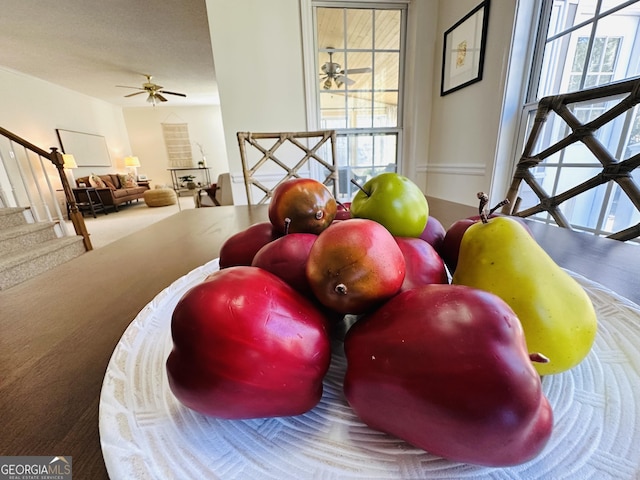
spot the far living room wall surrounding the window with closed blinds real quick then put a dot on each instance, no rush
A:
(147, 143)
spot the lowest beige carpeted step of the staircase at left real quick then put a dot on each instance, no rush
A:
(20, 266)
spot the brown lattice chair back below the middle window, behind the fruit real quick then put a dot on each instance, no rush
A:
(268, 159)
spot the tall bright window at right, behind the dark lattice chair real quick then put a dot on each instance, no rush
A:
(583, 44)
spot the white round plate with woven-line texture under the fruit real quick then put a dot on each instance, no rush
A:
(146, 433)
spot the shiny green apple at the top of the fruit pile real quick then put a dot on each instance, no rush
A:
(393, 201)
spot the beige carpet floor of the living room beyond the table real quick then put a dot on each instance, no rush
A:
(105, 229)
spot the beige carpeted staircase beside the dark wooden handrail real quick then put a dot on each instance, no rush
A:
(28, 248)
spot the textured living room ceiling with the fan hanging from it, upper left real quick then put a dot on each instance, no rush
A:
(92, 46)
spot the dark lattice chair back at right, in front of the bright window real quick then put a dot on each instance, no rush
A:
(570, 132)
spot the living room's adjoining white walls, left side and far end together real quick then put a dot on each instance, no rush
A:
(33, 109)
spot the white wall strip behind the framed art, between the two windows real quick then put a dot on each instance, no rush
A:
(466, 124)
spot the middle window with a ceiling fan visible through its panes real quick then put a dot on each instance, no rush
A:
(359, 71)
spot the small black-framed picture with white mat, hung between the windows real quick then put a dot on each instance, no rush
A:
(463, 50)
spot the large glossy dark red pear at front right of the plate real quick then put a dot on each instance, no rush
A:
(447, 369)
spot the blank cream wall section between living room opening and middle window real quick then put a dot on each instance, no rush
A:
(257, 51)
